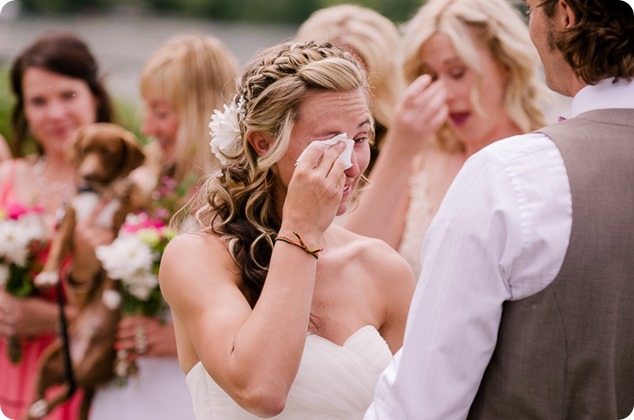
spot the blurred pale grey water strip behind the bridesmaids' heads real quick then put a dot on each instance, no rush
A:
(123, 41)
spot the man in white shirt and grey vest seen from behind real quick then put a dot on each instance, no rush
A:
(525, 305)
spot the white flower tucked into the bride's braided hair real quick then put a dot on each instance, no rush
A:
(226, 138)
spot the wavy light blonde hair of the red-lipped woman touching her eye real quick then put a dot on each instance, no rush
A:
(502, 30)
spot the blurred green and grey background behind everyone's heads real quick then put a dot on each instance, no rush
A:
(123, 33)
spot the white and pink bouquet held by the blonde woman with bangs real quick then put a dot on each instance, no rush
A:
(133, 259)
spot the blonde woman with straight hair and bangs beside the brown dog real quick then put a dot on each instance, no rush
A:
(180, 84)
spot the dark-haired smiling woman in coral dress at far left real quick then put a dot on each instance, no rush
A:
(58, 89)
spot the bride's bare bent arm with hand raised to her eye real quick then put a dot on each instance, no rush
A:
(254, 354)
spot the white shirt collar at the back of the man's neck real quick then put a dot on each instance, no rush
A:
(603, 95)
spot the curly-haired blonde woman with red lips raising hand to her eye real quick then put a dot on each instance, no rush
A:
(474, 78)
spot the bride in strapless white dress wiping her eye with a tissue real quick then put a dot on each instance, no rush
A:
(278, 311)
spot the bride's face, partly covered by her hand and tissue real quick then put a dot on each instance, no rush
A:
(322, 116)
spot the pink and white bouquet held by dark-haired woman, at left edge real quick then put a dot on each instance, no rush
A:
(23, 242)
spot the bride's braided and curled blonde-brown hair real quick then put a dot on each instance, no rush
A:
(237, 203)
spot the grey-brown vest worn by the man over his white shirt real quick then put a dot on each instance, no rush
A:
(568, 351)
